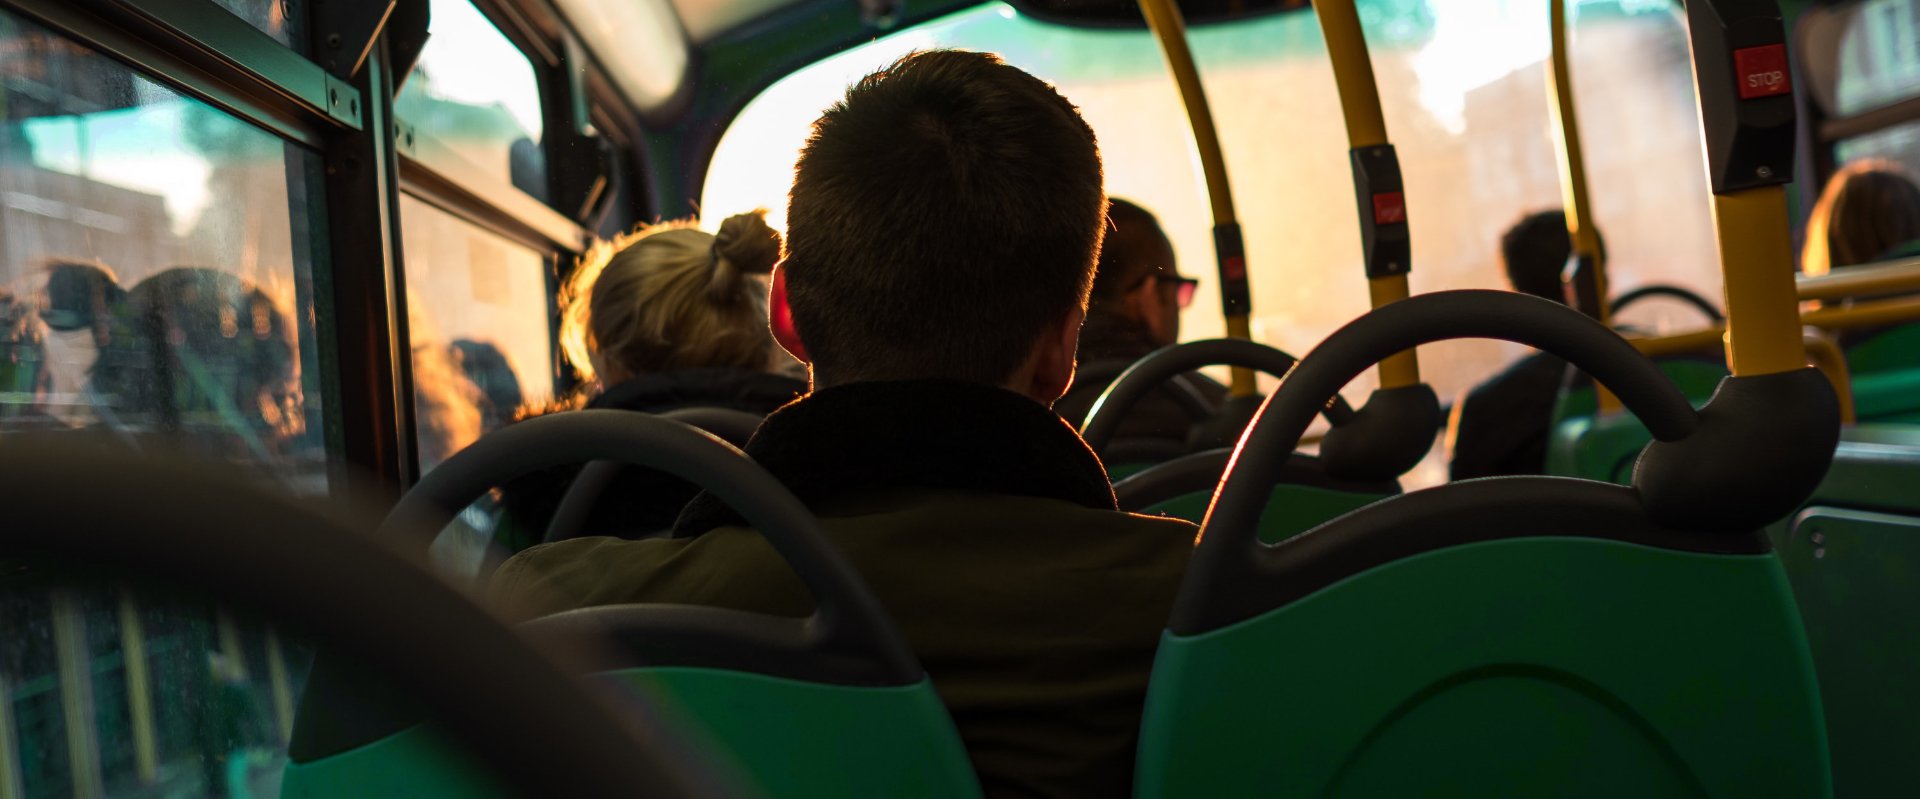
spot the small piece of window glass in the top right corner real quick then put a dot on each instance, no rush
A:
(1879, 55)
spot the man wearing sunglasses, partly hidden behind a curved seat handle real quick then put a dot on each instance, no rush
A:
(1136, 308)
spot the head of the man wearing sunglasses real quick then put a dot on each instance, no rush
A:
(1138, 279)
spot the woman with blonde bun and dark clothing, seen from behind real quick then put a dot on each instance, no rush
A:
(663, 318)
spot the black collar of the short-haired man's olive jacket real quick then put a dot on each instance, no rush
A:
(869, 437)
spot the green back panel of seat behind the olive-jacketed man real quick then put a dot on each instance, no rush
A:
(784, 737)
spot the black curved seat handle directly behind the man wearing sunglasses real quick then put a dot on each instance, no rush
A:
(1166, 364)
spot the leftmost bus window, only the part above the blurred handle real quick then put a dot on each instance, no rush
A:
(158, 264)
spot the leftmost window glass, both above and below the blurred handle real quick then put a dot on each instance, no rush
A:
(156, 266)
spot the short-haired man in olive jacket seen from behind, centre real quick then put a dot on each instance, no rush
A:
(946, 220)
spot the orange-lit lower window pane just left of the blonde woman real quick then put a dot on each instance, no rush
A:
(481, 324)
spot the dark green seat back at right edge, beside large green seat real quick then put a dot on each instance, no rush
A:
(1854, 560)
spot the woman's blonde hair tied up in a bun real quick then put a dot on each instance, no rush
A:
(671, 297)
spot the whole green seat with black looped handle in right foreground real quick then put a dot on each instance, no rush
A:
(1504, 637)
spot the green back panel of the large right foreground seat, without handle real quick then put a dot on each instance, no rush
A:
(1524, 667)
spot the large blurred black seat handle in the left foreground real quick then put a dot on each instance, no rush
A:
(172, 527)
